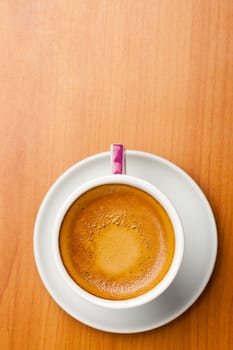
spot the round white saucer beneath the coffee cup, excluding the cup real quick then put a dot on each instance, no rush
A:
(200, 244)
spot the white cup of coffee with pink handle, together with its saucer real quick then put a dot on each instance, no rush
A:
(131, 283)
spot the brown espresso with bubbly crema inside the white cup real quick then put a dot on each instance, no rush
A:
(116, 241)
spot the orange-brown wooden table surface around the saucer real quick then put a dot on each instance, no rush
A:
(76, 76)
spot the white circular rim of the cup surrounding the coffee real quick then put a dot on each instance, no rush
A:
(178, 231)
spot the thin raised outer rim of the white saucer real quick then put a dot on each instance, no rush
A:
(201, 286)
